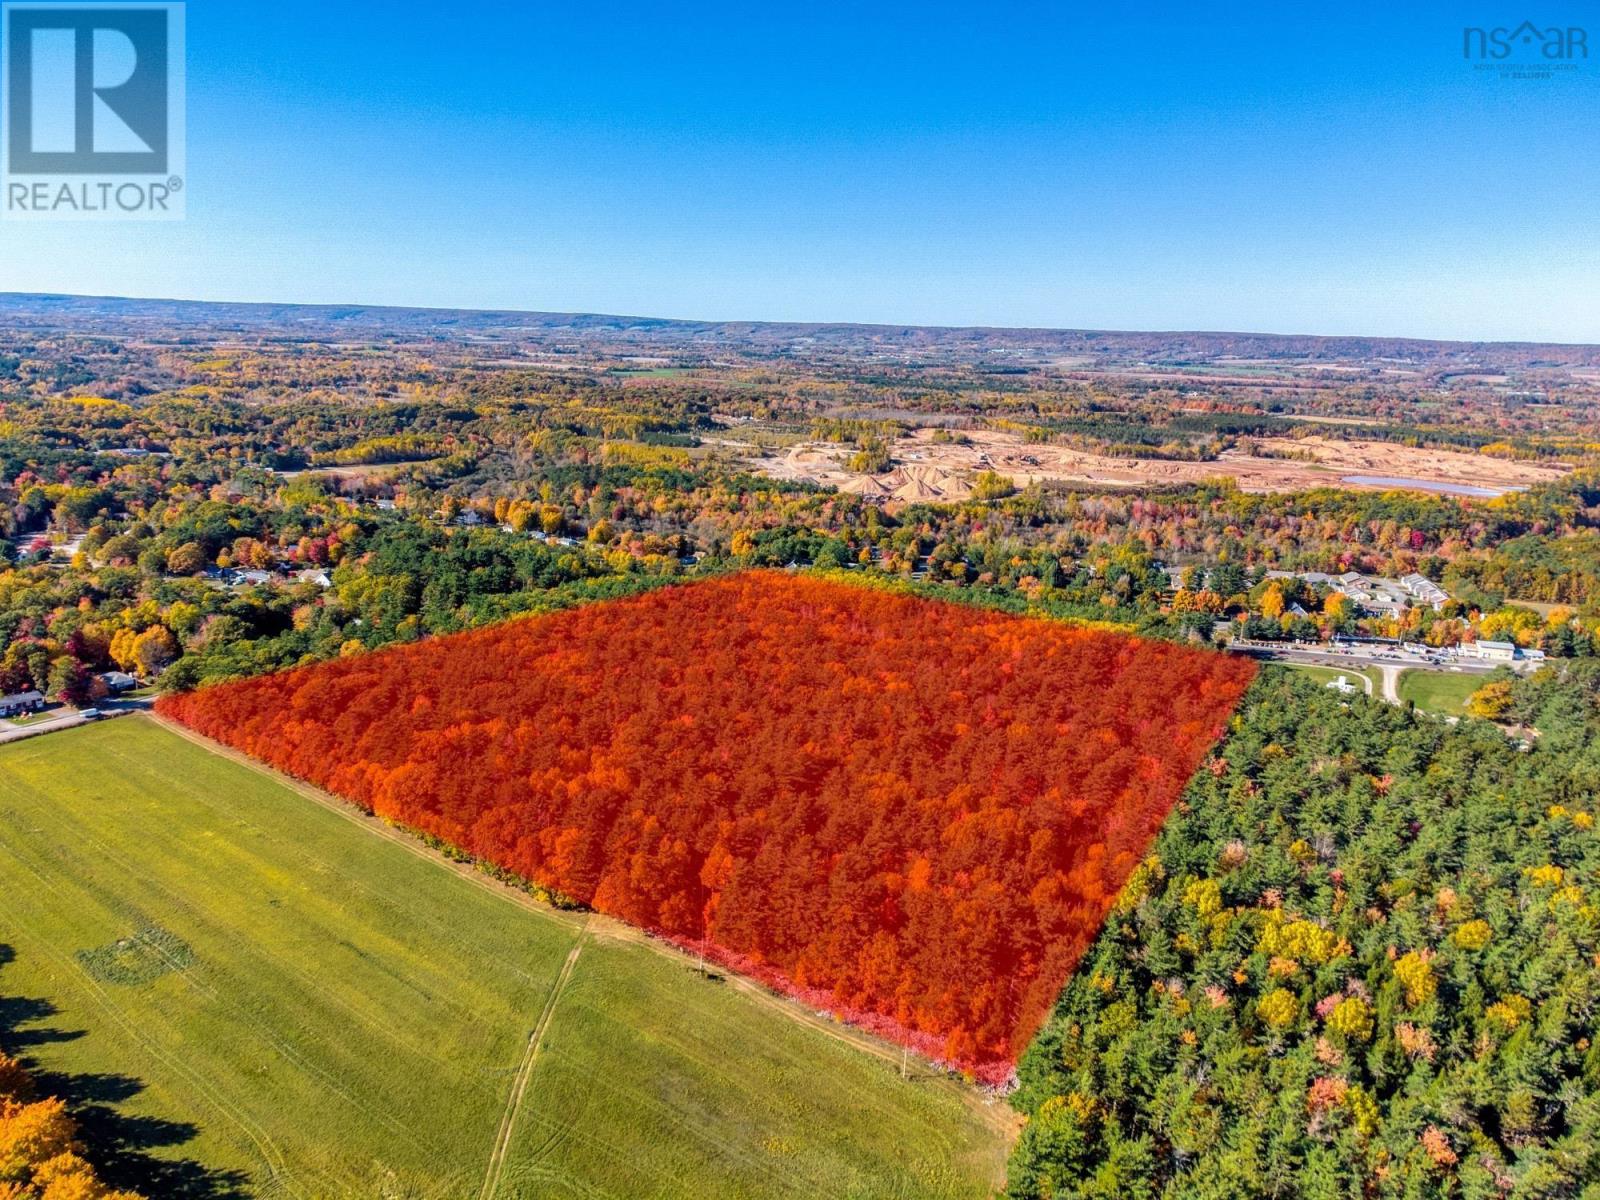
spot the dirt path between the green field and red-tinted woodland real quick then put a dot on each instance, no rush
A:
(990, 1110)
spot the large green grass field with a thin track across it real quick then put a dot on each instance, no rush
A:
(247, 994)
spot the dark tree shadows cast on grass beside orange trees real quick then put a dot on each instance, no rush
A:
(122, 1146)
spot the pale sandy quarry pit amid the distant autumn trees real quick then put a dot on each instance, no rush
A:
(932, 471)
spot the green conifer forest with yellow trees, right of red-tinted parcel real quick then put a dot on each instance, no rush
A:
(1361, 961)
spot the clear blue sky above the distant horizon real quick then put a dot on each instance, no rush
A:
(1324, 169)
